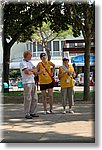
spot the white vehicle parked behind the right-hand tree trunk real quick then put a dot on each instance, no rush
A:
(79, 80)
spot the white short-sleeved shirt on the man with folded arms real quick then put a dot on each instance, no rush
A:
(25, 77)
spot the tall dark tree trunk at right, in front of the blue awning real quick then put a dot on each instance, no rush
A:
(87, 37)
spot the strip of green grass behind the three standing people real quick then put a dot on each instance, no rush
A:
(17, 97)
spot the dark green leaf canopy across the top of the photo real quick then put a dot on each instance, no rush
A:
(20, 18)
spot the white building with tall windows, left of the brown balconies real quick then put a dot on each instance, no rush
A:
(55, 46)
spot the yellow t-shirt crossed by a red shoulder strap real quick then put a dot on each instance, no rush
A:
(45, 78)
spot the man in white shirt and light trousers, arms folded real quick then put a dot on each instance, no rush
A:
(30, 95)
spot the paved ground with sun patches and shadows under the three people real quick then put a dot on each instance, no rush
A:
(58, 127)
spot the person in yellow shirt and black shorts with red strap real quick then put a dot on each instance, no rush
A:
(45, 71)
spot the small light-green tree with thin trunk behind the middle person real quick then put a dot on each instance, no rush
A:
(43, 35)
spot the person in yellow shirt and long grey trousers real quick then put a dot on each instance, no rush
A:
(66, 74)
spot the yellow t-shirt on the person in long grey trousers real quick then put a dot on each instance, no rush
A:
(66, 80)
